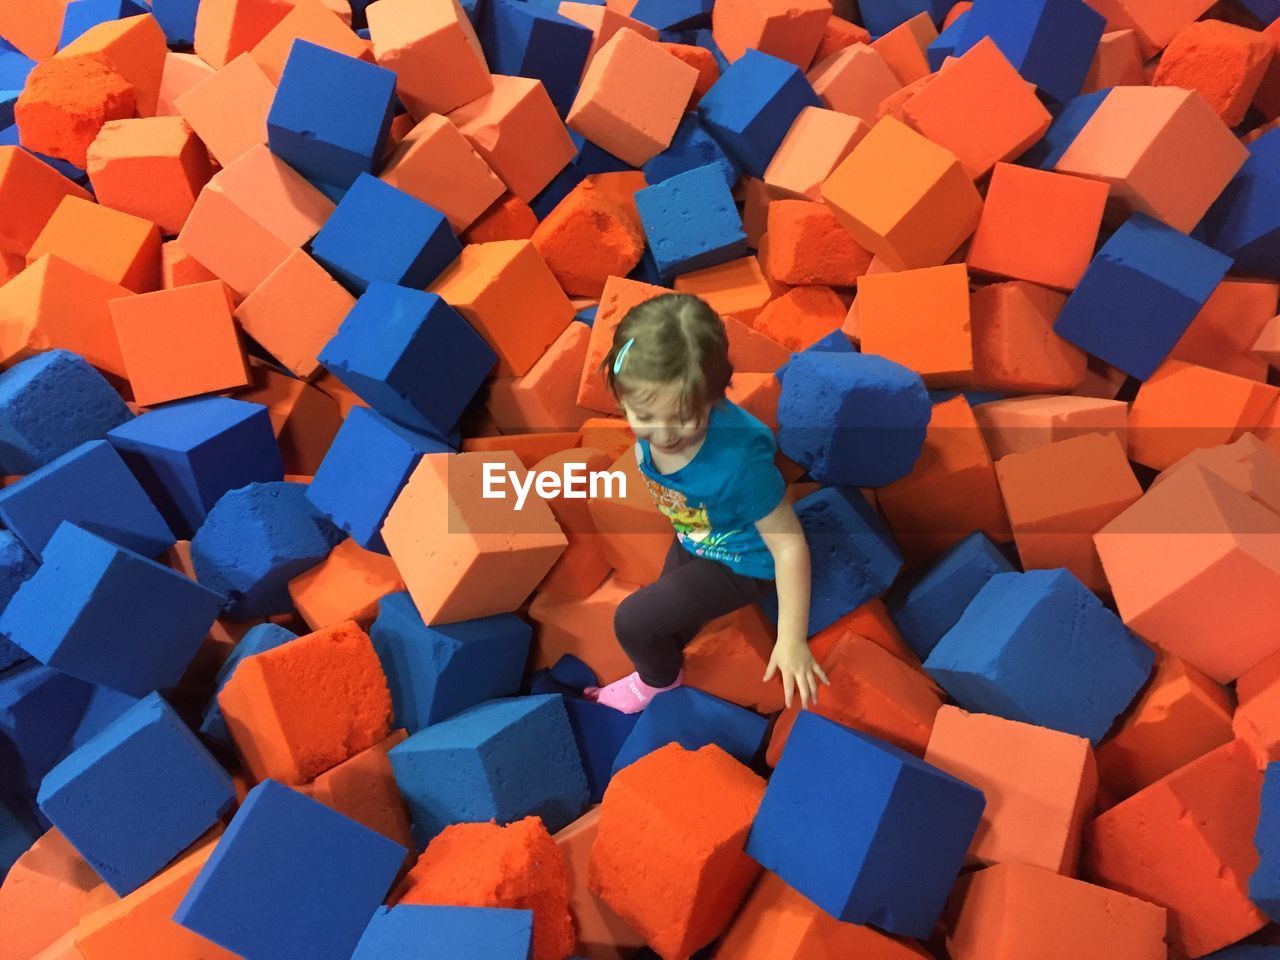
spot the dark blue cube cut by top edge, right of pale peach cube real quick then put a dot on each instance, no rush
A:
(534, 40)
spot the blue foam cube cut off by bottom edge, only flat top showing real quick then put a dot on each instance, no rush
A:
(458, 932)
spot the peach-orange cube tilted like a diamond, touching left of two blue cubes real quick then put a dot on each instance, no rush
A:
(295, 313)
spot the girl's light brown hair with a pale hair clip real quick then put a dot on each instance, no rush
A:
(679, 340)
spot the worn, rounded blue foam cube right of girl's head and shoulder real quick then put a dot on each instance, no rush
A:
(853, 419)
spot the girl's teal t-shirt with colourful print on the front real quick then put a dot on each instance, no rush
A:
(717, 497)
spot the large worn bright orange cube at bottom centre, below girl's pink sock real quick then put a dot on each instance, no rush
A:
(669, 854)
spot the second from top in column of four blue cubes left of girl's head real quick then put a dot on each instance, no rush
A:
(382, 234)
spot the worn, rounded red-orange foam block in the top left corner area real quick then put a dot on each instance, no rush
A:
(66, 102)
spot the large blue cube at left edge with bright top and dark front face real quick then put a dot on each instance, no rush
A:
(108, 615)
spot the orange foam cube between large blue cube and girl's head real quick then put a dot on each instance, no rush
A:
(511, 298)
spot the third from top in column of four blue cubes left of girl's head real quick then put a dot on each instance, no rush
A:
(410, 356)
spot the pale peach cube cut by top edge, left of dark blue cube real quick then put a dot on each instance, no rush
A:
(433, 51)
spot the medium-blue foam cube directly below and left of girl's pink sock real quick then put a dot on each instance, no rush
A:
(508, 760)
